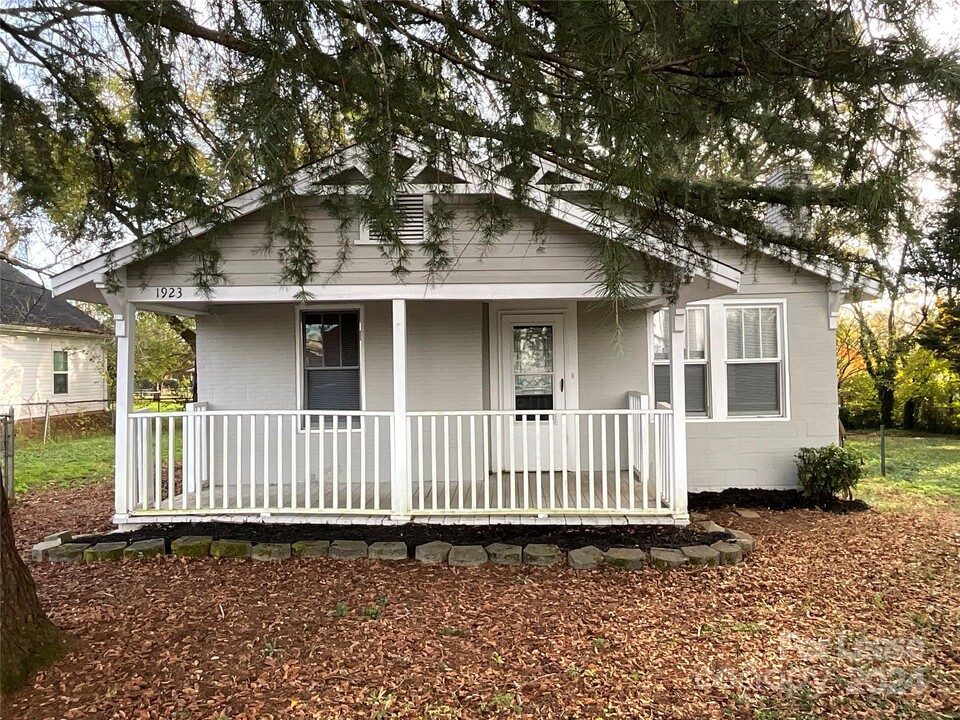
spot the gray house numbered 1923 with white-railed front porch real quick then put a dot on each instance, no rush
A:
(496, 394)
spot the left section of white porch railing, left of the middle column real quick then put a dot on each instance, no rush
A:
(259, 462)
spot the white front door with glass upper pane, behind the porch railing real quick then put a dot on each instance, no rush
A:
(533, 382)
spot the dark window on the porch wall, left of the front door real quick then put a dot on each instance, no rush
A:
(331, 360)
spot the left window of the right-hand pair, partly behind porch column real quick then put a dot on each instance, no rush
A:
(695, 369)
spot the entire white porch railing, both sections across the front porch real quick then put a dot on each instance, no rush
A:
(490, 462)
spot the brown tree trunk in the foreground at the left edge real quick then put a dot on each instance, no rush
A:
(28, 640)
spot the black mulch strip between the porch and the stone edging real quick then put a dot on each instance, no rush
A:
(566, 537)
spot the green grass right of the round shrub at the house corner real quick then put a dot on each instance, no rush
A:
(921, 469)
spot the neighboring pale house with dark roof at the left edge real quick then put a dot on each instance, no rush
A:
(50, 351)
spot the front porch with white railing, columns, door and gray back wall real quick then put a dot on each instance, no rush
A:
(503, 423)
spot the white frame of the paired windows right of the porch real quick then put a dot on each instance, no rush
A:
(716, 352)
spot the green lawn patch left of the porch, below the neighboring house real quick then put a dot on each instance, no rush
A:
(70, 462)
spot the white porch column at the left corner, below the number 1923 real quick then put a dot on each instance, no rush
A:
(125, 324)
